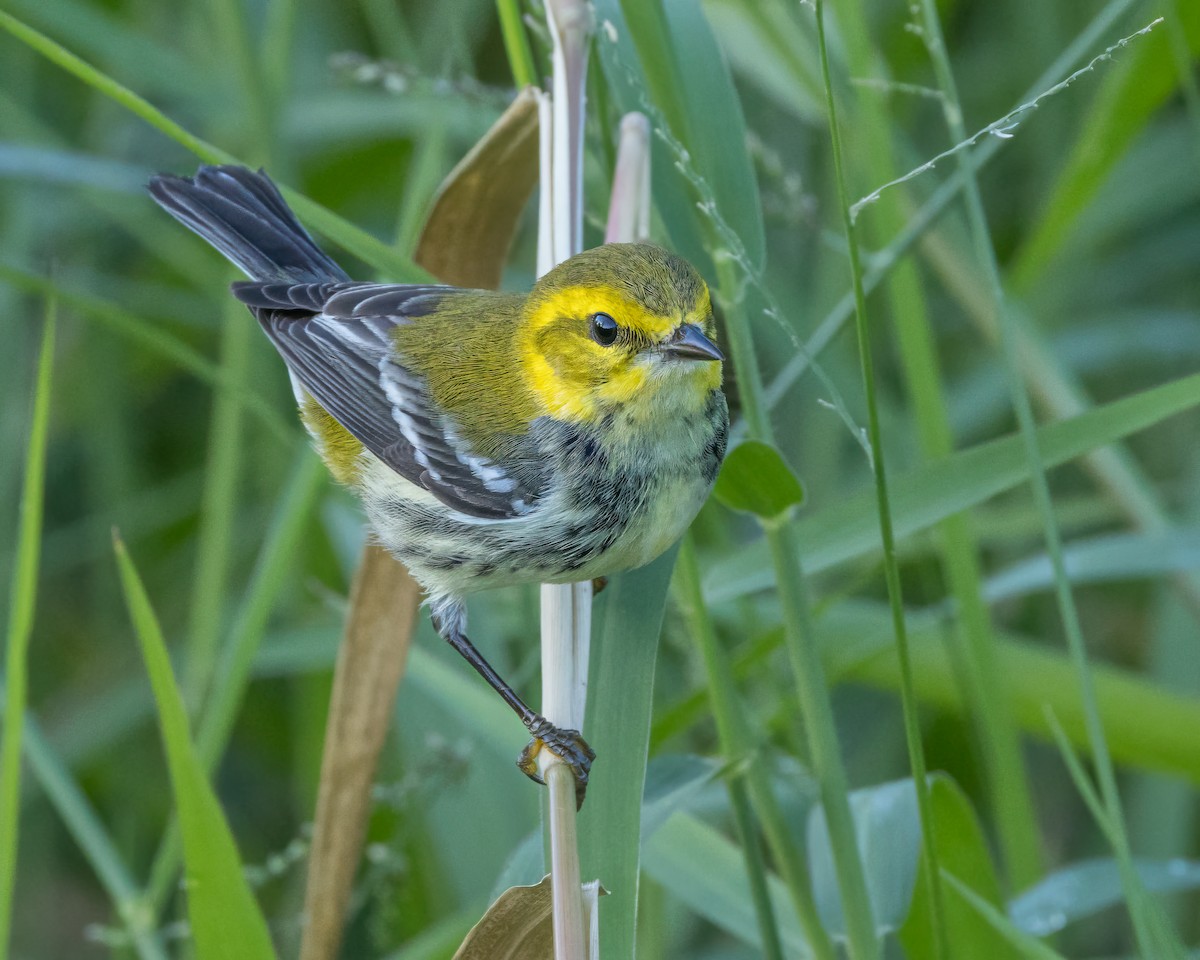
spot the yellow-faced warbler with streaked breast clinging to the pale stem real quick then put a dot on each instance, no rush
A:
(494, 439)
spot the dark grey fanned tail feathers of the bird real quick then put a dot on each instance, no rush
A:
(244, 217)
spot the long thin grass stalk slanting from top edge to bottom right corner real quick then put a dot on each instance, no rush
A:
(1144, 932)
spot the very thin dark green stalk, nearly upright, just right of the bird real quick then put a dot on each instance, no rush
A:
(891, 568)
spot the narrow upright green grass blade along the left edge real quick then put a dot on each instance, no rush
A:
(22, 607)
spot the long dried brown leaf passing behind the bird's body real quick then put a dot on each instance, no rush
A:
(465, 243)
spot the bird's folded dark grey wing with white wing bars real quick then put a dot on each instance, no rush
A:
(338, 340)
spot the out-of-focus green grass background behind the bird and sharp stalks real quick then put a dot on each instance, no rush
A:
(172, 421)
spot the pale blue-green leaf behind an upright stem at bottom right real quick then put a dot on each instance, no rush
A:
(889, 833)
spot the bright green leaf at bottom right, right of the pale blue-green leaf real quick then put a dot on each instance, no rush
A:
(963, 851)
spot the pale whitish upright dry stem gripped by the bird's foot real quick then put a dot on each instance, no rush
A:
(566, 609)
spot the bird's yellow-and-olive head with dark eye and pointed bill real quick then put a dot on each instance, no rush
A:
(623, 326)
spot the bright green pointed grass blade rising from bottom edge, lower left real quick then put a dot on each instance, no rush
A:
(225, 919)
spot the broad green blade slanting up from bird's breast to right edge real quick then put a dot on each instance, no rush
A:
(921, 499)
